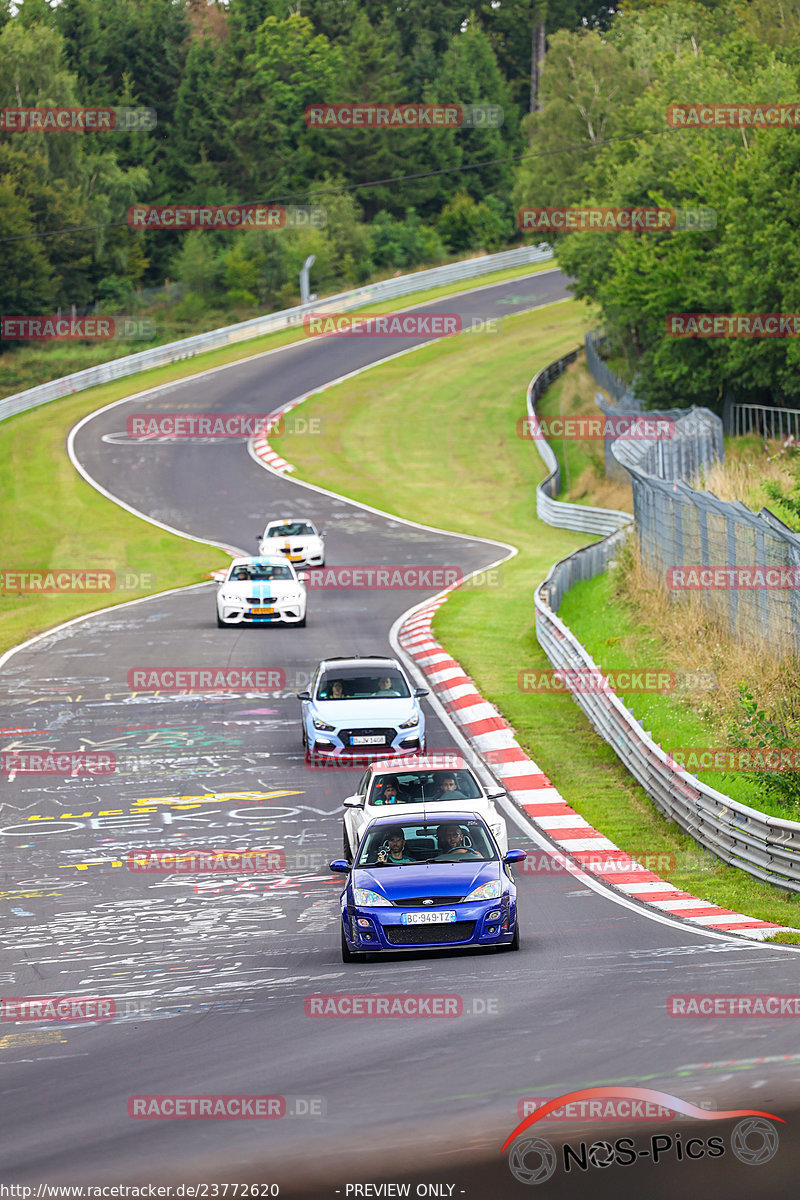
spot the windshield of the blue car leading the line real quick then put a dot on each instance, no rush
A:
(411, 843)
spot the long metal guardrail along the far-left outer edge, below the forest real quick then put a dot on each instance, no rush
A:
(172, 352)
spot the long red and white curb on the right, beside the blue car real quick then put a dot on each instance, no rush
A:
(533, 793)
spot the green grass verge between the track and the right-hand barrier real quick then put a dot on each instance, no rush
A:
(454, 460)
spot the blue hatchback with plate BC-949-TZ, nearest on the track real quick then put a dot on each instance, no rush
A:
(424, 885)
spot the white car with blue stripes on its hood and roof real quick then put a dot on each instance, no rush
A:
(262, 591)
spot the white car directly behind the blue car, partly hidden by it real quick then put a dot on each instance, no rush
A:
(428, 788)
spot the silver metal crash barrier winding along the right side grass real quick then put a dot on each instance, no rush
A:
(767, 848)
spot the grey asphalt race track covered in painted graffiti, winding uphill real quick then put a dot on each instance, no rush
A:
(213, 976)
